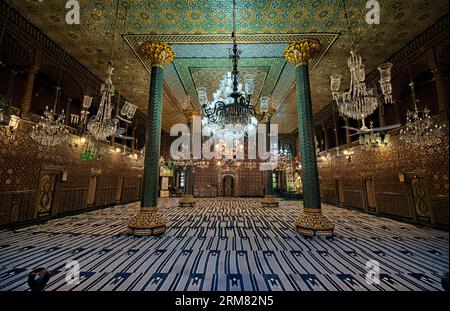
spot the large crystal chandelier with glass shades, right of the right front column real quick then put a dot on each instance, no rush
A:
(360, 101)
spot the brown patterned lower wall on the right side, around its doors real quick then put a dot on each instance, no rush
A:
(384, 165)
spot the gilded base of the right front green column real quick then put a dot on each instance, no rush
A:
(313, 223)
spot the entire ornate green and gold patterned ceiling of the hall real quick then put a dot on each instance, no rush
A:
(203, 62)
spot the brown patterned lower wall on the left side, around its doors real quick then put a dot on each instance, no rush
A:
(21, 163)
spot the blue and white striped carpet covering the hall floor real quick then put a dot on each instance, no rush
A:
(228, 244)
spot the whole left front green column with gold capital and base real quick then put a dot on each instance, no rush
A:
(149, 221)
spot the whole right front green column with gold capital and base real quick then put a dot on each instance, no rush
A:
(311, 220)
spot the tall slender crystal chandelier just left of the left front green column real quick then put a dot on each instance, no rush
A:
(103, 125)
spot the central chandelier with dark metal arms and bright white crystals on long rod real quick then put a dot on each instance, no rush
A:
(232, 105)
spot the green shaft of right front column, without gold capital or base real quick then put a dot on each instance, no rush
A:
(310, 176)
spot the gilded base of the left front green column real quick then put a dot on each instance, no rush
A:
(148, 222)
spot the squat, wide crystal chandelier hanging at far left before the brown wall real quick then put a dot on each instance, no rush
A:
(50, 130)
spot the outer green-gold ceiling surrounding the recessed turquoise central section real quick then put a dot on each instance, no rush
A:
(401, 21)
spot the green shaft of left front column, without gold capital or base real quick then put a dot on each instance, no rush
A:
(153, 139)
